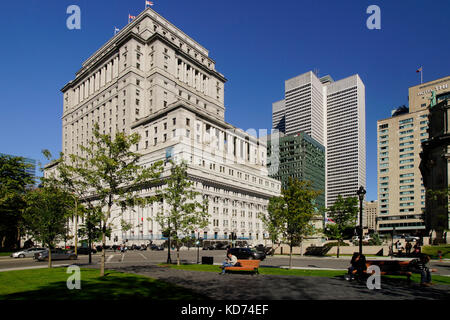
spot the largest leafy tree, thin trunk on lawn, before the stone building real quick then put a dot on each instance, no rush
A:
(108, 176)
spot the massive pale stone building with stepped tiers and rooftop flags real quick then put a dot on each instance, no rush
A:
(153, 79)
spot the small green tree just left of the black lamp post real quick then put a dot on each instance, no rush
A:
(344, 212)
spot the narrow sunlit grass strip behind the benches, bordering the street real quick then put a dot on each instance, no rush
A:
(301, 272)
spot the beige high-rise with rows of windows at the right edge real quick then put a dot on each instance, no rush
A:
(401, 193)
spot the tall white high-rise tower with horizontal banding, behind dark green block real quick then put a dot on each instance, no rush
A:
(332, 113)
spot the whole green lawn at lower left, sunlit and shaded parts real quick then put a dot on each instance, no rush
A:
(50, 284)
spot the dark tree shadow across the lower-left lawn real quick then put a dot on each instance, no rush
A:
(109, 288)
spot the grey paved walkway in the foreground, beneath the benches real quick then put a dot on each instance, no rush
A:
(272, 287)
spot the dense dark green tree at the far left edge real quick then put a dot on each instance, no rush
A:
(14, 184)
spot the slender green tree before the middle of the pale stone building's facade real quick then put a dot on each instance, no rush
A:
(185, 213)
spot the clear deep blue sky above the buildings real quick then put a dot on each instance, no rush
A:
(256, 45)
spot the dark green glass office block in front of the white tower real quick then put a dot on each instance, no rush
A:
(298, 156)
